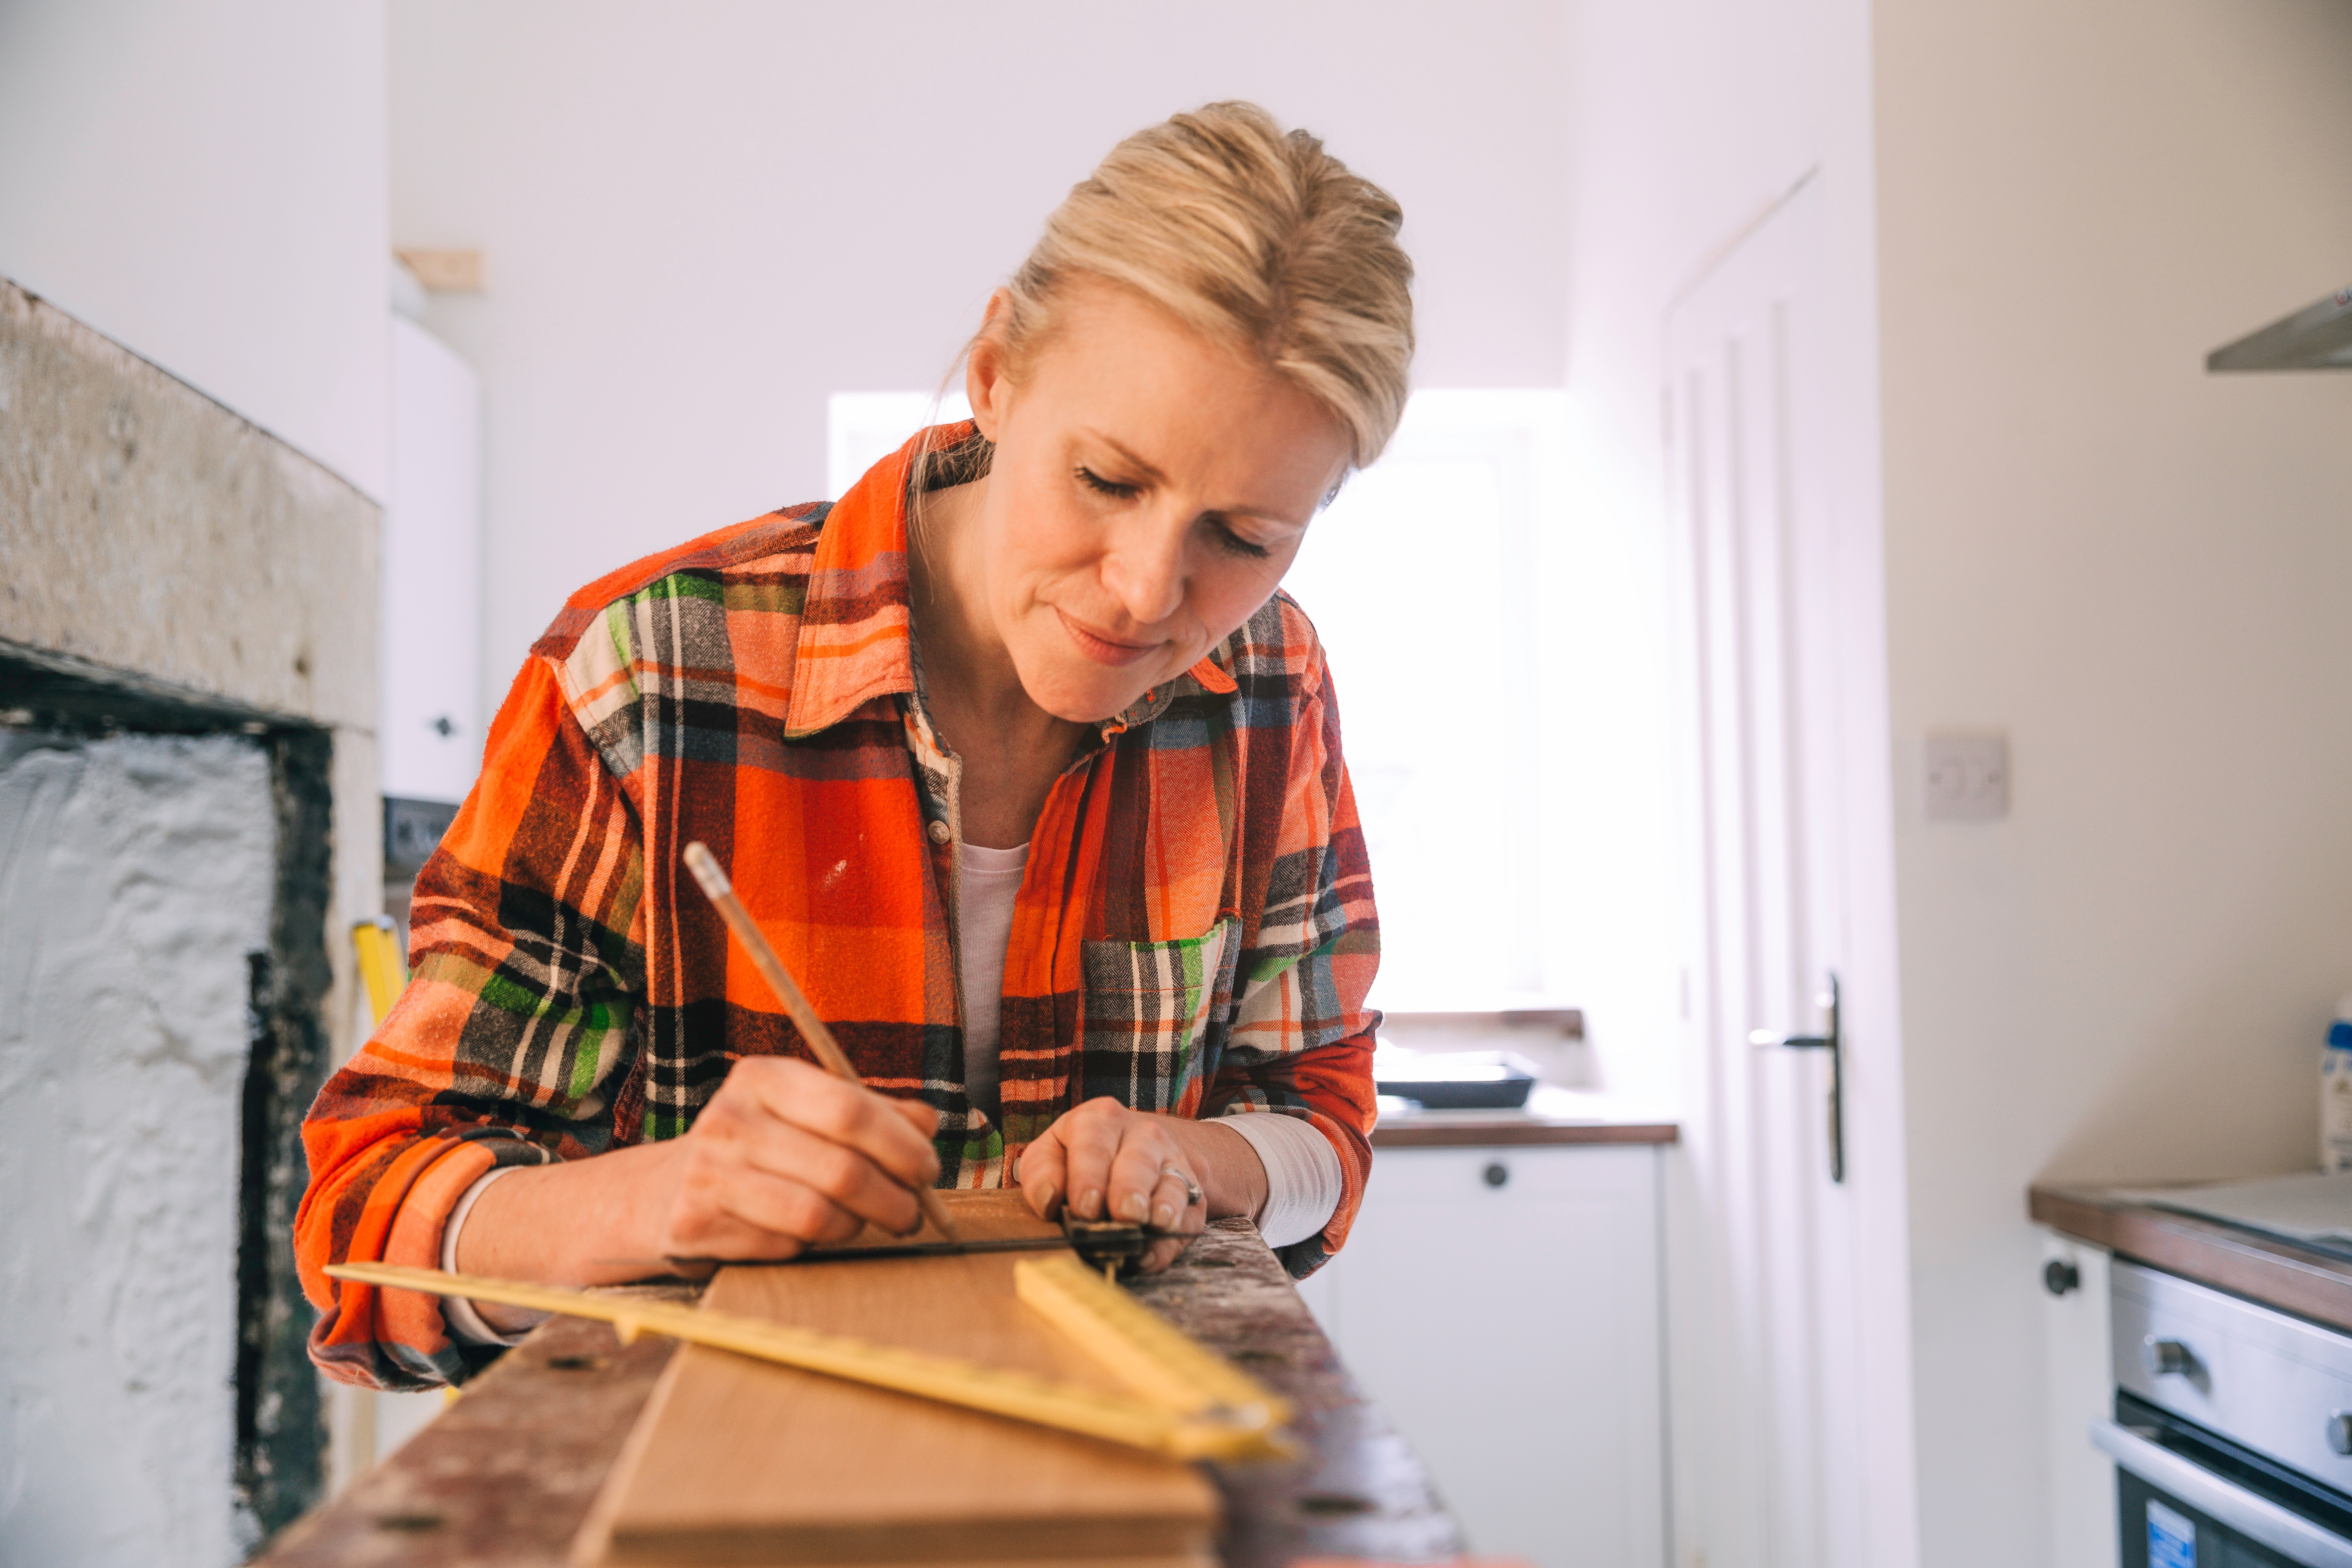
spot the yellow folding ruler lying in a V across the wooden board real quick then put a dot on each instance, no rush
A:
(1184, 1400)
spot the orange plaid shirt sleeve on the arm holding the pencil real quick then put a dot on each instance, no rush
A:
(512, 1045)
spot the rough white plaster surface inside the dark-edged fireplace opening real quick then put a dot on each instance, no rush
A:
(135, 880)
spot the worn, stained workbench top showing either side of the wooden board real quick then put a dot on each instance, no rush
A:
(507, 1475)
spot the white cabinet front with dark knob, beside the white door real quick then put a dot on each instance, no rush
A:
(1504, 1306)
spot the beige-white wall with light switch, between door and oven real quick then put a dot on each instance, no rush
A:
(2139, 572)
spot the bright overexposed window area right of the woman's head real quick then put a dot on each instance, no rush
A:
(1443, 739)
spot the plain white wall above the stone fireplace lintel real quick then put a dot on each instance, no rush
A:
(206, 187)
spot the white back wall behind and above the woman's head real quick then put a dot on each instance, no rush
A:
(704, 220)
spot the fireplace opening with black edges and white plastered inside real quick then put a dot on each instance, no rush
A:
(166, 880)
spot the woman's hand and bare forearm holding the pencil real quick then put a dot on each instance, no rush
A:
(782, 1158)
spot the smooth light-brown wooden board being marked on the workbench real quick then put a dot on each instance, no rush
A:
(751, 1463)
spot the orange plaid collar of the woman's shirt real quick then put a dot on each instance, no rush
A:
(855, 622)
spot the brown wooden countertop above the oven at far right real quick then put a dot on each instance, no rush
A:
(2224, 1257)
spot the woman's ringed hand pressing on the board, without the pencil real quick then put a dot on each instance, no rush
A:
(1111, 1162)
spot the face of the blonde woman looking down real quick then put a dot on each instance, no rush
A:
(1147, 497)
